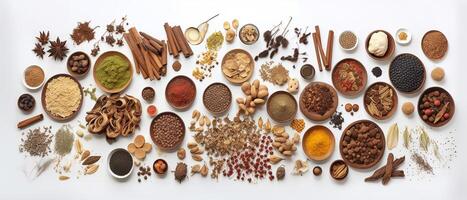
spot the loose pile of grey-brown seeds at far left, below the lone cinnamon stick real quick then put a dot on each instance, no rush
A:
(37, 142)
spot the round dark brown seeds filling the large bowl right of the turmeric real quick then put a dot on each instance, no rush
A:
(363, 143)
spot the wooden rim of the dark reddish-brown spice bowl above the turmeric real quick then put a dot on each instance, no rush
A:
(315, 116)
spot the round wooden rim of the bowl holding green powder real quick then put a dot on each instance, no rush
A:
(99, 61)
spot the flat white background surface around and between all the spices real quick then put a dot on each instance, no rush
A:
(21, 21)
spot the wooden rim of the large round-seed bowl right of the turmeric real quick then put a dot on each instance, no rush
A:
(359, 166)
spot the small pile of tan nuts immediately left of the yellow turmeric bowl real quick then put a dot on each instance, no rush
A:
(283, 143)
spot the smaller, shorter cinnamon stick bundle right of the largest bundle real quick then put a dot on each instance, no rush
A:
(177, 42)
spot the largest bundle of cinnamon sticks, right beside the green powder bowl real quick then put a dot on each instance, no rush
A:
(149, 54)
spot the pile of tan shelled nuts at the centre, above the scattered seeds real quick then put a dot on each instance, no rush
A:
(256, 94)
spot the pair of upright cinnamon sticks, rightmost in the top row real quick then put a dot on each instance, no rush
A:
(324, 59)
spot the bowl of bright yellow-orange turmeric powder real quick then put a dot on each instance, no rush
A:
(318, 143)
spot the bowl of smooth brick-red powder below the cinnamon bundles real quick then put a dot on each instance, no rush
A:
(180, 92)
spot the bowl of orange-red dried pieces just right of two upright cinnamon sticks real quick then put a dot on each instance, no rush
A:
(349, 77)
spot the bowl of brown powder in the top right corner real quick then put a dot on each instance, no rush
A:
(434, 45)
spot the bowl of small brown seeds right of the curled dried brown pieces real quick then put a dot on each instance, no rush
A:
(167, 131)
